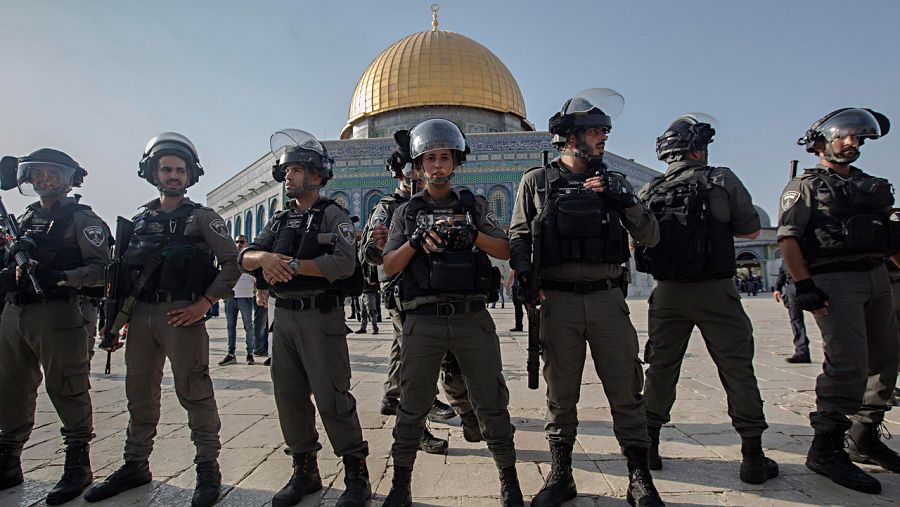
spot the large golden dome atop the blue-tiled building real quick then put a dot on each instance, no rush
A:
(435, 68)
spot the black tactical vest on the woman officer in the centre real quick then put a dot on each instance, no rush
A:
(447, 272)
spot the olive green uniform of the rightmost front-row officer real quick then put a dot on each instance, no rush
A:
(859, 333)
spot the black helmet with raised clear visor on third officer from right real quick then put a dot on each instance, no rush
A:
(594, 107)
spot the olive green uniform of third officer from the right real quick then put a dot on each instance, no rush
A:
(570, 321)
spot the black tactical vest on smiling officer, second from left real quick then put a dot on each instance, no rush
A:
(183, 267)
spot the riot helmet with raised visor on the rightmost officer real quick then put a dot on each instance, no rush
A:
(860, 123)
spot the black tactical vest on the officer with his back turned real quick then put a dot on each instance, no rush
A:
(692, 245)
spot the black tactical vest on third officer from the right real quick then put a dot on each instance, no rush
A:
(577, 225)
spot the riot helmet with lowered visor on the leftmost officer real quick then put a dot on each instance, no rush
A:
(48, 173)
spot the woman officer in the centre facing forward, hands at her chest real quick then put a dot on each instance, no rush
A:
(440, 240)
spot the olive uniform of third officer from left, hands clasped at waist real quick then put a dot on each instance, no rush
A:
(309, 350)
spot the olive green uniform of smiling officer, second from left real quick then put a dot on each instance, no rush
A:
(151, 339)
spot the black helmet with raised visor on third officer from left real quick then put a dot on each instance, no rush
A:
(295, 146)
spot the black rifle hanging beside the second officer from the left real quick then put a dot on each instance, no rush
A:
(115, 313)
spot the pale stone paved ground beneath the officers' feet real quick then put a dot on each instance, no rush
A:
(702, 450)
